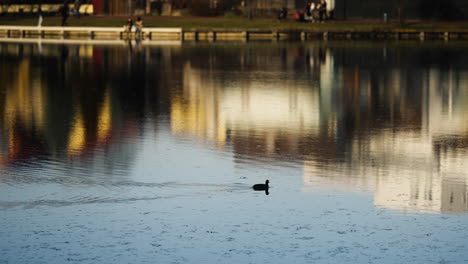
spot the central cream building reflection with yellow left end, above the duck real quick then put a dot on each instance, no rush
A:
(256, 115)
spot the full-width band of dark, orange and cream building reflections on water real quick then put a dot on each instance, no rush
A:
(392, 119)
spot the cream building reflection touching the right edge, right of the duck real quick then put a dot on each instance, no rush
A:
(412, 167)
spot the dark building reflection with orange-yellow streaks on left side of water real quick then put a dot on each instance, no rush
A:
(89, 101)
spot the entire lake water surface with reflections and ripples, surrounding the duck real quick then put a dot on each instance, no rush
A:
(137, 153)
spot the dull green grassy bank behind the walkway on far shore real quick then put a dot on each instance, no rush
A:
(239, 23)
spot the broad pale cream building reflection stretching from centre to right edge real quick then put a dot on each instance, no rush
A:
(413, 158)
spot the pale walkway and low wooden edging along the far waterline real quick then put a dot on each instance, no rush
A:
(157, 33)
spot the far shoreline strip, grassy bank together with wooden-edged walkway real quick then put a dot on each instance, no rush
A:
(213, 29)
